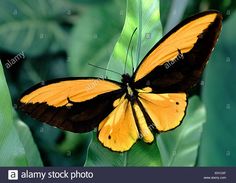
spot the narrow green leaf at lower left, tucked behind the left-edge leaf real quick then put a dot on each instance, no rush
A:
(31, 151)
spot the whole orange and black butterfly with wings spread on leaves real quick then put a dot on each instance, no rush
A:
(154, 98)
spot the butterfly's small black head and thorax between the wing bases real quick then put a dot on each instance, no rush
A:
(127, 82)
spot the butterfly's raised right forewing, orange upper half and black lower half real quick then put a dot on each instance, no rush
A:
(176, 62)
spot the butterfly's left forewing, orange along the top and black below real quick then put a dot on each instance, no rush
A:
(73, 104)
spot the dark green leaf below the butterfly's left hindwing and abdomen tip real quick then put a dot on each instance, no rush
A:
(141, 154)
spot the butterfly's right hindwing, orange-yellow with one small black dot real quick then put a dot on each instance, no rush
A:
(165, 110)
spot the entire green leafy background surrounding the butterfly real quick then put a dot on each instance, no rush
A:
(60, 38)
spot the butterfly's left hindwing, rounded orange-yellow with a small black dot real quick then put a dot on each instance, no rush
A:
(118, 131)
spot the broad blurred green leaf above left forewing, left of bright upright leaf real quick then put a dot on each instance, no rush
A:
(93, 38)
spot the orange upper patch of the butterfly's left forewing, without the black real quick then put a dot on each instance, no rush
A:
(57, 94)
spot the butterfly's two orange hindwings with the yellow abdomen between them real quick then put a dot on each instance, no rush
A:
(130, 121)
